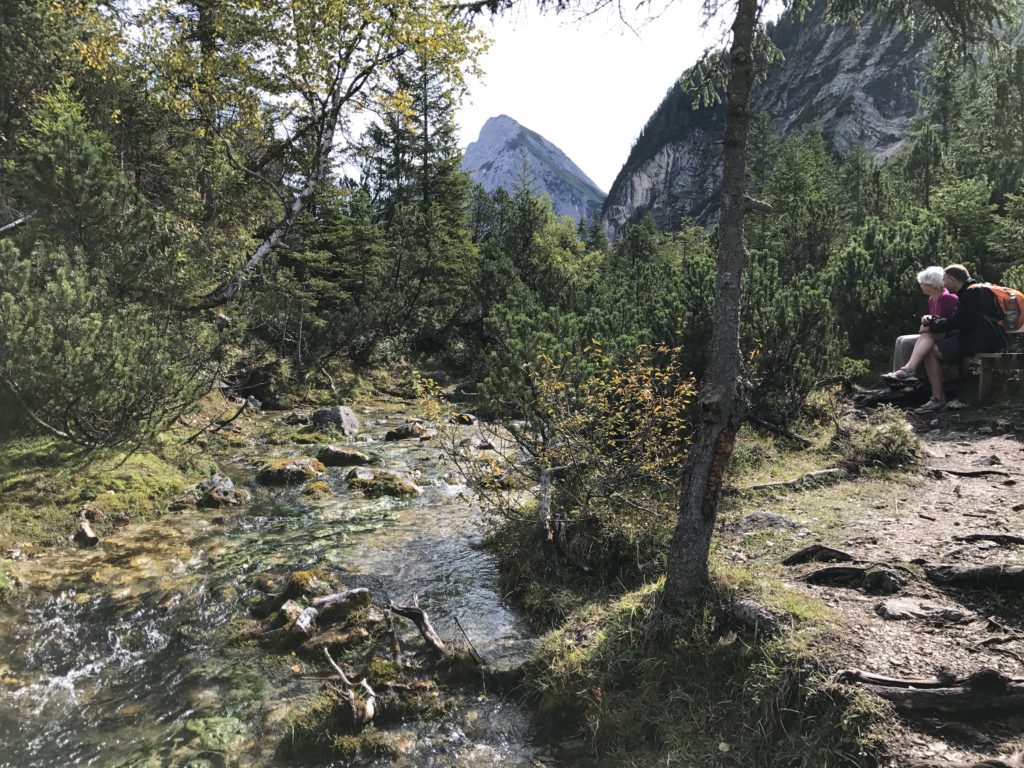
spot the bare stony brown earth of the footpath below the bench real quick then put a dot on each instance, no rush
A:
(905, 524)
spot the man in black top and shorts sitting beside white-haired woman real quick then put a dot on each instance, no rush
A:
(971, 329)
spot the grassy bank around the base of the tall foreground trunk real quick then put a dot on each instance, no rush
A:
(632, 689)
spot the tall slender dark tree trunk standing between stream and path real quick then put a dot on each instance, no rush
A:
(721, 409)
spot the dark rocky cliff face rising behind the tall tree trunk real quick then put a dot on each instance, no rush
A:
(859, 89)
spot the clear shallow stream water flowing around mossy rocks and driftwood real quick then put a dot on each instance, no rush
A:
(133, 654)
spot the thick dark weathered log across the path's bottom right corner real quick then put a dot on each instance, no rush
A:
(984, 692)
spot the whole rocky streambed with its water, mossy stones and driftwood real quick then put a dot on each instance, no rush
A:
(168, 643)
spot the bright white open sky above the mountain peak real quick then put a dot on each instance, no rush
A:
(589, 87)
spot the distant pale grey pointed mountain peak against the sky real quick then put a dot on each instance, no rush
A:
(506, 152)
